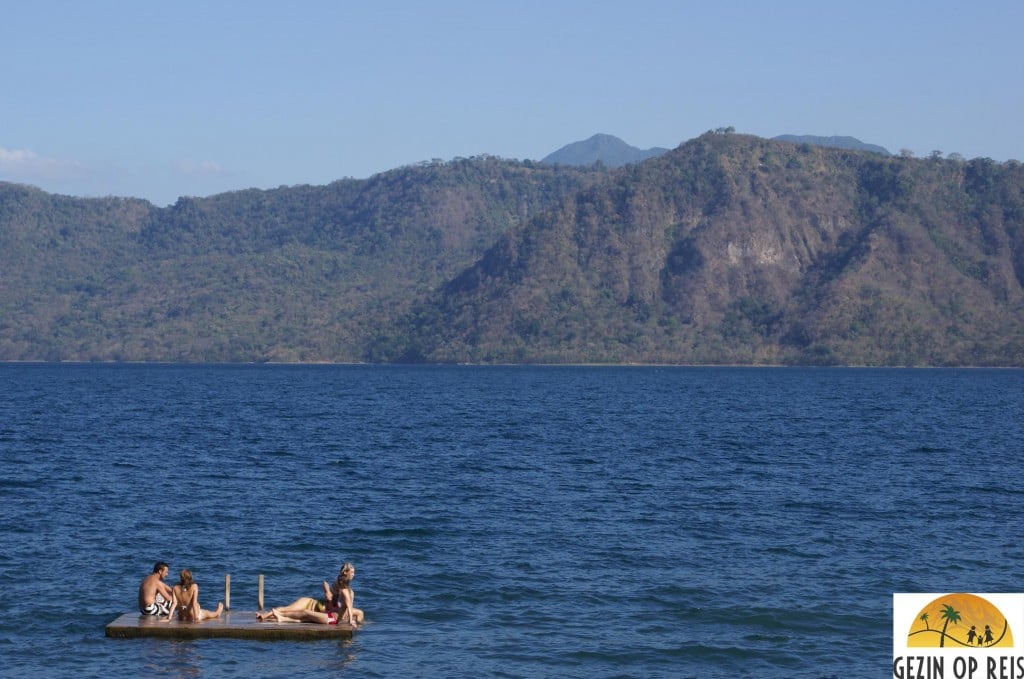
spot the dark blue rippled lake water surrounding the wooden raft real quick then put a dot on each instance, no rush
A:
(505, 522)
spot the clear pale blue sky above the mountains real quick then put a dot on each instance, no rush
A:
(162, 100)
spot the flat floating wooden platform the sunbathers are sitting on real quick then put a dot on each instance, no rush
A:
(233, 624)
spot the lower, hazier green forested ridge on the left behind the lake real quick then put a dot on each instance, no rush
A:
(303, 274)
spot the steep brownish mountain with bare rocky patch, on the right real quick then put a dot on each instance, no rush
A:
(735, 249)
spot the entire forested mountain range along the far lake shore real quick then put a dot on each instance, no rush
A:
(730, 249)
